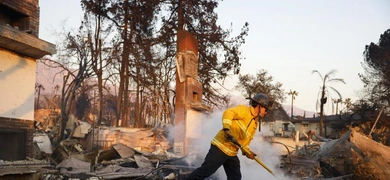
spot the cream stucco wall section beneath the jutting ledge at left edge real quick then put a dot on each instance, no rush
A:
(17, 86)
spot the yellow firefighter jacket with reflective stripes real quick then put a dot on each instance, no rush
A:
(242, 124)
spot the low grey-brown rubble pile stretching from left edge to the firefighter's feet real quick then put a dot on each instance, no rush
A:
(116, 162)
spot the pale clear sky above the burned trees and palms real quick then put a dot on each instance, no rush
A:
(288, 38)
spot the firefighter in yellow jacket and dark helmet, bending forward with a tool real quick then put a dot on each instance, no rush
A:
(239, 123)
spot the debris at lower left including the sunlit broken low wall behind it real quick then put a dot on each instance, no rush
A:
(148, 159)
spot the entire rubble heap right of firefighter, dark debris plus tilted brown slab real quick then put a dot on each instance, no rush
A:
(352, 156)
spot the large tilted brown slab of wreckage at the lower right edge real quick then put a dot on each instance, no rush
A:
(356, 154)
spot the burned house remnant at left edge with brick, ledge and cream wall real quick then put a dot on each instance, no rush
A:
(20, 47)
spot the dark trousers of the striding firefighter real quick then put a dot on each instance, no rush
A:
(213, 160)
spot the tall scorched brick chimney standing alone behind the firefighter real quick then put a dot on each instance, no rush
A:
(188, 105)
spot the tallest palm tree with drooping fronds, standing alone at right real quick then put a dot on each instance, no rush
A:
(325, 89)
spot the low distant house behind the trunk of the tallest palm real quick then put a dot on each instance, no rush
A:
(330, 123)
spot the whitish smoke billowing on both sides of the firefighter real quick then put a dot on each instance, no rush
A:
(268, 153)
